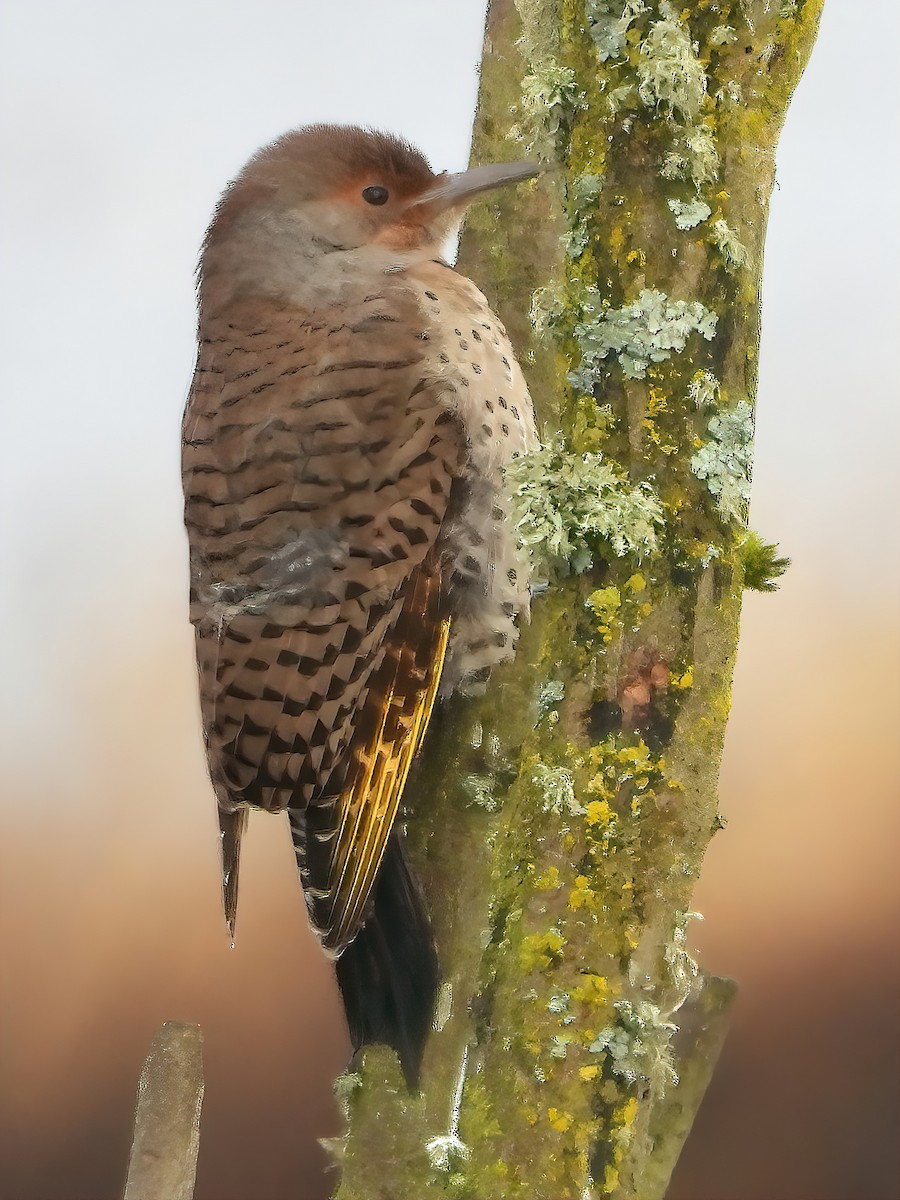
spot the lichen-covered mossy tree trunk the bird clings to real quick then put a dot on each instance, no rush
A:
(560, 823)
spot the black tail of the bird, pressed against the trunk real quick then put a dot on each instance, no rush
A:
(389, 975)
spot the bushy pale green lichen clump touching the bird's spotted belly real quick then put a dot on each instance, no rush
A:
(571, 508)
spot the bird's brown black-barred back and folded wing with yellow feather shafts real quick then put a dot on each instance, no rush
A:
(319, 464)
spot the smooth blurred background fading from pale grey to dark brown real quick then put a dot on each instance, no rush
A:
(119, 124)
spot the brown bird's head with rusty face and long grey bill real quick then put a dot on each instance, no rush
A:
(343, 188)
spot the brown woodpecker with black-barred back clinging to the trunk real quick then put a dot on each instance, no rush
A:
(352, 555)
